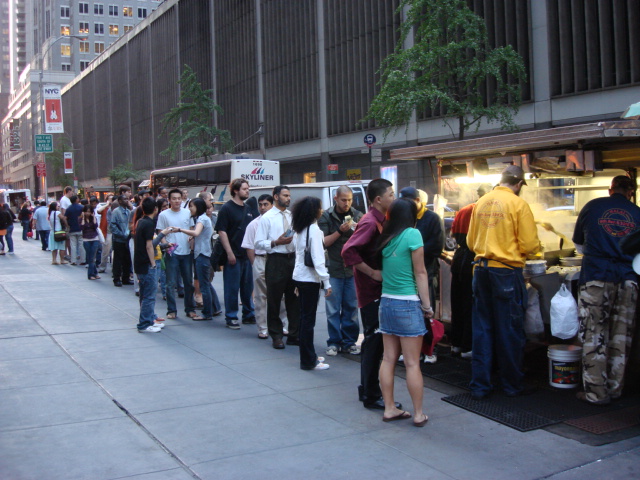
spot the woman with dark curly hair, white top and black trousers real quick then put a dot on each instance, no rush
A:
(308, 276)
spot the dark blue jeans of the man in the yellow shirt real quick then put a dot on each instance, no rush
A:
(499, 305)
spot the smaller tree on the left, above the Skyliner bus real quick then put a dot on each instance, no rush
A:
(190, 123)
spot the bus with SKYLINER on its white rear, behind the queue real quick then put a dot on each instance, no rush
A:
(214, 177)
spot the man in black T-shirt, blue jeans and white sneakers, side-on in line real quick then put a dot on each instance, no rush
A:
(144, 266)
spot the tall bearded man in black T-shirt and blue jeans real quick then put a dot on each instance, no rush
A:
(233, 219)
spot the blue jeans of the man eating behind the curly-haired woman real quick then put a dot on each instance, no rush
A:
(342, 313)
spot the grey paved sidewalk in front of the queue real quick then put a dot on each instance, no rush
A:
(84, 396)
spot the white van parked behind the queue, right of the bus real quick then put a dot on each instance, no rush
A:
(325, 191)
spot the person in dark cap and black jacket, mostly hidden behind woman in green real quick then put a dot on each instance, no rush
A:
(430, 227)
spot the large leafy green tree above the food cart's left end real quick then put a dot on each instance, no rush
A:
(447, 68)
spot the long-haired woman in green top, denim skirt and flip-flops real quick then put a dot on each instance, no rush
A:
(403, 307)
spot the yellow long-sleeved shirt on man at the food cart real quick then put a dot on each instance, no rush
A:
(502, 228)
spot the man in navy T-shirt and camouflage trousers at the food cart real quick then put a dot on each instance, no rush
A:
(608, 290)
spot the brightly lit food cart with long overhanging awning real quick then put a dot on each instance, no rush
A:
(565, 168)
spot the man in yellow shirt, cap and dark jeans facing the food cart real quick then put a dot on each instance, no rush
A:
(503, 234)
